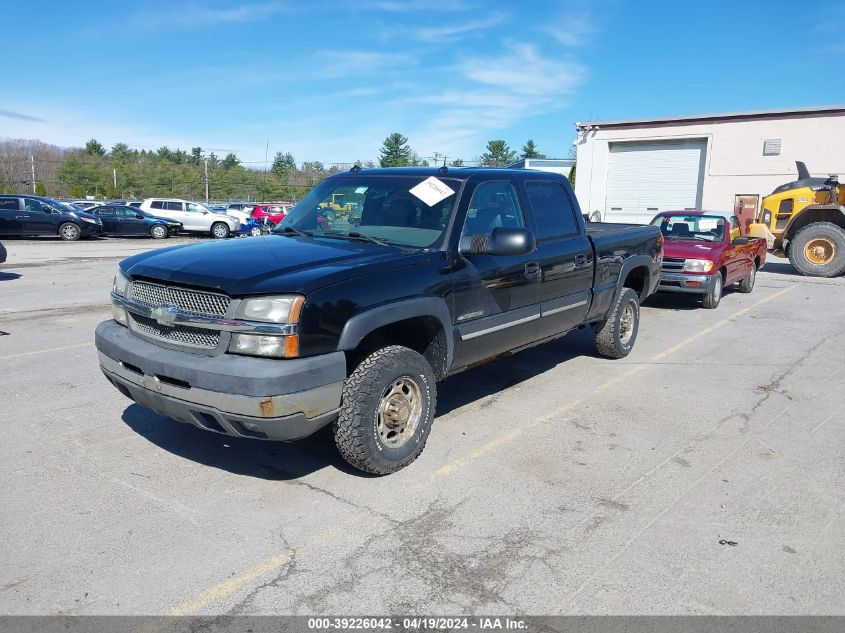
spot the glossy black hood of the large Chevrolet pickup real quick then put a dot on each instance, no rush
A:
(261, 265)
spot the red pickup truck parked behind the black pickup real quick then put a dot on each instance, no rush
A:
(704, 251)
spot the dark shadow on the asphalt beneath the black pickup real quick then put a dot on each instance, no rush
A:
(285, 461)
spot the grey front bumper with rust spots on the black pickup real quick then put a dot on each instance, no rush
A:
(236, 395)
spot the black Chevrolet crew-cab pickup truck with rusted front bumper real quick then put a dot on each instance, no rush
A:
(377, 285)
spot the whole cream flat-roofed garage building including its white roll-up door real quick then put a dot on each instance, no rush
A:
(630, 170)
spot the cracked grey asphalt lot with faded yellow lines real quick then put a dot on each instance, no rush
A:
(703, 474)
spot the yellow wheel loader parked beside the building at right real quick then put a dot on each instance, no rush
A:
(807, 220)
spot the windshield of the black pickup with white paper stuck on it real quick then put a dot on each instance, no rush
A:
(400, 210)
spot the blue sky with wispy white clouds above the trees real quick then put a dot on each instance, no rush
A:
(328, 80)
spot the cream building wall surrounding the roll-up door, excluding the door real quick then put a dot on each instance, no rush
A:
(735, 163)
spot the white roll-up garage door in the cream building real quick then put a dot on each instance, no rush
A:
(644, 178)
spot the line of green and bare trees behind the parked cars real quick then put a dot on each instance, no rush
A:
(28, 166)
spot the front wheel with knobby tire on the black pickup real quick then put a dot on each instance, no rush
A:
(386, 411)
